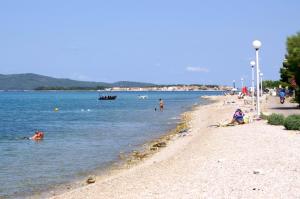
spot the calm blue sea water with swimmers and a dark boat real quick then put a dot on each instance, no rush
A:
(84, 135)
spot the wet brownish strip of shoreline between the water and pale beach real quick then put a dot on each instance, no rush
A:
(139, 158)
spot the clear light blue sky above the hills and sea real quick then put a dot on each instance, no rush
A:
(157, 41)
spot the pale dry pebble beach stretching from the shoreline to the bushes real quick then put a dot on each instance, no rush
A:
(254, 160)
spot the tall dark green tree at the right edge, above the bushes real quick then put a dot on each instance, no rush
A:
(290, 71)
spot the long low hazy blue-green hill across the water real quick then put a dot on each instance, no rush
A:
(30, 81)
